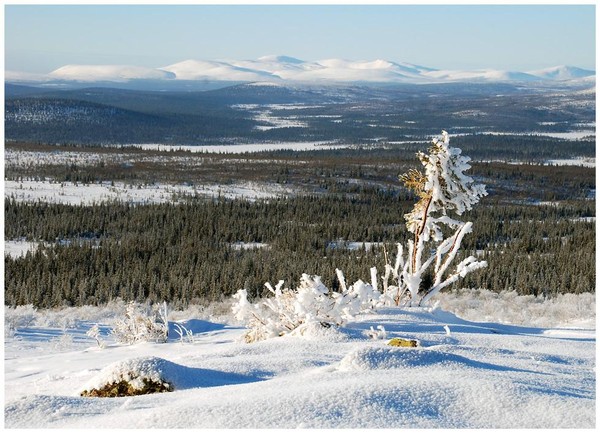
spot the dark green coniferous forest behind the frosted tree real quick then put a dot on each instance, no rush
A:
(535, 229)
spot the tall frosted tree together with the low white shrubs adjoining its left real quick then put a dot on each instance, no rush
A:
(442, 188)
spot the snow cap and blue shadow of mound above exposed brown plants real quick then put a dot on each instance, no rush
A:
(160, 370)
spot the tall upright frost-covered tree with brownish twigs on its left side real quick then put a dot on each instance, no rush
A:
(442, 188)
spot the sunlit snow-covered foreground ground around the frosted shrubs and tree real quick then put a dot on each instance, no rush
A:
(465, 374)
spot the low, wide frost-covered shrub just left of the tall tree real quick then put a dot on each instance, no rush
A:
(310, 304)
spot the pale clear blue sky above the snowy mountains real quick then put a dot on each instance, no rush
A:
(509, 37)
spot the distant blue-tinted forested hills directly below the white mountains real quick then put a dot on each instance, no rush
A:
(350, 114)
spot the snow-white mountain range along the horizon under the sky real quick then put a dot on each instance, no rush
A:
(285, 69)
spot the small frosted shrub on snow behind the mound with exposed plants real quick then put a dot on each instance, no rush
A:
(142, 323)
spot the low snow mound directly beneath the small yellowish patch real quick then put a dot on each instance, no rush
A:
(384, 358)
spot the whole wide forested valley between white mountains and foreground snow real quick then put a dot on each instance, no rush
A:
(182, 182)
